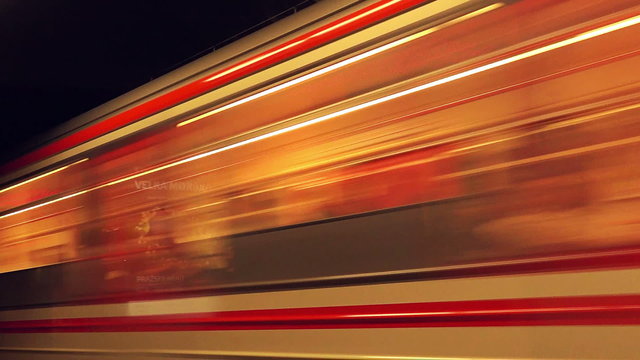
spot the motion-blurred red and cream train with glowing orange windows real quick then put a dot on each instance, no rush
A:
(382, 179)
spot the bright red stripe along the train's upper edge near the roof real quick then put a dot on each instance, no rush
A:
(357, 20)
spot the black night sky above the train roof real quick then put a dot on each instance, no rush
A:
(60, 58)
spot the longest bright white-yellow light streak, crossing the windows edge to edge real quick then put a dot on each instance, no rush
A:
(527, 54)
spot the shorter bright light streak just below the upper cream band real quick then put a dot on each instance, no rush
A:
(339, 64)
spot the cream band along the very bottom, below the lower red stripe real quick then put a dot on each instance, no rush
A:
(496, 342)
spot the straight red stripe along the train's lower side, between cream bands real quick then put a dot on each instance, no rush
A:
(591, 310)
